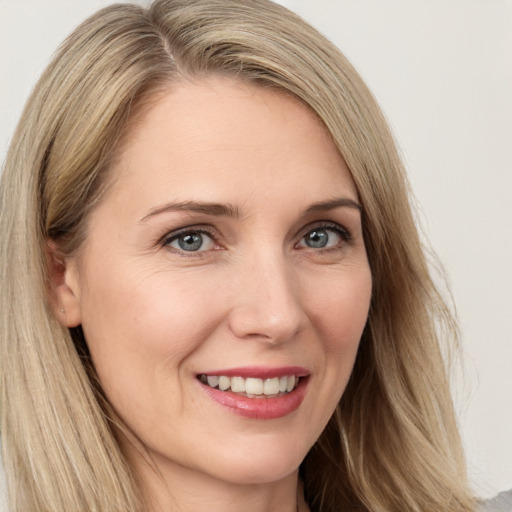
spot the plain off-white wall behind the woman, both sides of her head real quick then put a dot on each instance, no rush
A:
(442, 71)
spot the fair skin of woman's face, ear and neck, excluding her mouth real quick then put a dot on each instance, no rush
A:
(255, 294)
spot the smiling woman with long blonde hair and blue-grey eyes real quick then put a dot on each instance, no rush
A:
(214, 293)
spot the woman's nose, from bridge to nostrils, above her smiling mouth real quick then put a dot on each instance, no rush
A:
(267, 303)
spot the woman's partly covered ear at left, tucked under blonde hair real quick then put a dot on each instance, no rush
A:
(64, 286)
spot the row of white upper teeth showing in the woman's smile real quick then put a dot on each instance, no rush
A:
(252, 387)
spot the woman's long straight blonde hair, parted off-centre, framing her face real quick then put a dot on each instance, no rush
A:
(392, 443)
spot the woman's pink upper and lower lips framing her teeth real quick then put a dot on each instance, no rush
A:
(259, 408)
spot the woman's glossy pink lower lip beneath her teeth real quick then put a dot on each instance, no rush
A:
(259, 408)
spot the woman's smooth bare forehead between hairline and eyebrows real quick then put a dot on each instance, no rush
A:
(219, 131)
